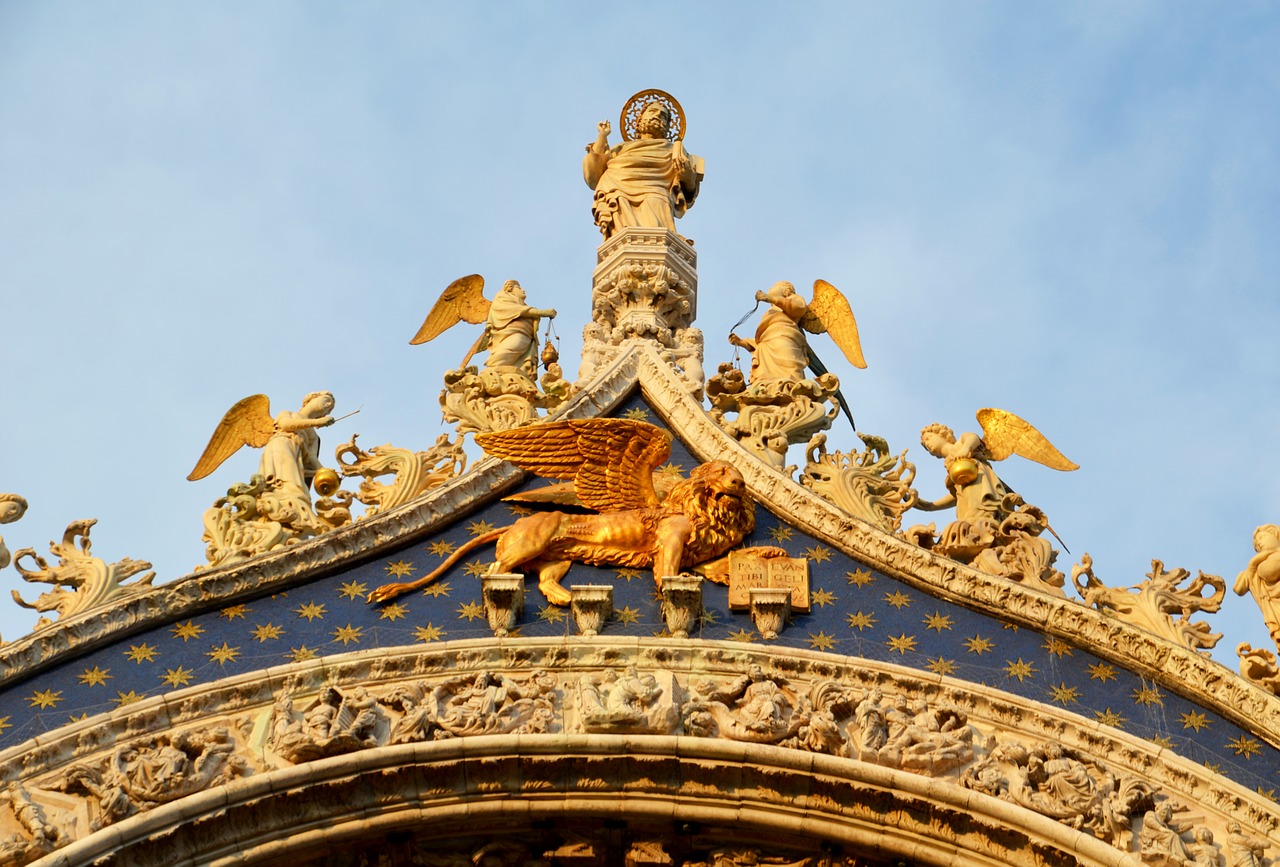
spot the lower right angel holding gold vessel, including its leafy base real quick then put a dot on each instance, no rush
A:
(995, 530)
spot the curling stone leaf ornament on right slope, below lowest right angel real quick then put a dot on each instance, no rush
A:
(1154, 604)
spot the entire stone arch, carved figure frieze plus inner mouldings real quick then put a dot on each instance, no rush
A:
(476, 736)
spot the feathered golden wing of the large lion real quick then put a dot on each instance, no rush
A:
(611, 462)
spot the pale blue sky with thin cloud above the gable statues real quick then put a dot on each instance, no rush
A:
(1067, 211)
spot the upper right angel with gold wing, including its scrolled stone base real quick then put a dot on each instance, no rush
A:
(780, 404)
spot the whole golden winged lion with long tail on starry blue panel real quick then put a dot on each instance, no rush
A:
(611, 464)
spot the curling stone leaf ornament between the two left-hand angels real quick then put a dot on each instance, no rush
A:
(414, 473)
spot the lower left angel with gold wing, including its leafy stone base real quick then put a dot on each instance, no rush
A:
(275, 508)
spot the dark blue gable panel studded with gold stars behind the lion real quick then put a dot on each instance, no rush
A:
(854, 612)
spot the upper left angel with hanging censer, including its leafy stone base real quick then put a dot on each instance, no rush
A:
(504, 394)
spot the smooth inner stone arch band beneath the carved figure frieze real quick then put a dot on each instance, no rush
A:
(538, 787)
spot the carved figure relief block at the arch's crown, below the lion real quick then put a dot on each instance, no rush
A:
(629, 701)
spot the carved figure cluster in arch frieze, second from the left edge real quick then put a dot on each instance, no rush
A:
(139, 778)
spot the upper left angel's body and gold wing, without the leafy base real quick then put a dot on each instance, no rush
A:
(511, 326)
